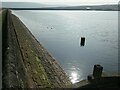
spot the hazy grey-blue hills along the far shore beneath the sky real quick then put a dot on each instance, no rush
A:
(37, 6)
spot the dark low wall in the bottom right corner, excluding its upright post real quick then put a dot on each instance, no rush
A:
(105, 82)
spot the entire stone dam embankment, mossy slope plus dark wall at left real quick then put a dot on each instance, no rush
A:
(26, 63)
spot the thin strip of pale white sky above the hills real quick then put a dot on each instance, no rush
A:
(71, 2)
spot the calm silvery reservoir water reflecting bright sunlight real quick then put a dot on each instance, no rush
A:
(60, 33)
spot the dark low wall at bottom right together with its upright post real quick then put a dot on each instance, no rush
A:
(99, 81)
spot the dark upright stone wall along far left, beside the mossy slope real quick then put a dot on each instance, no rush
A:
(14, 75)
